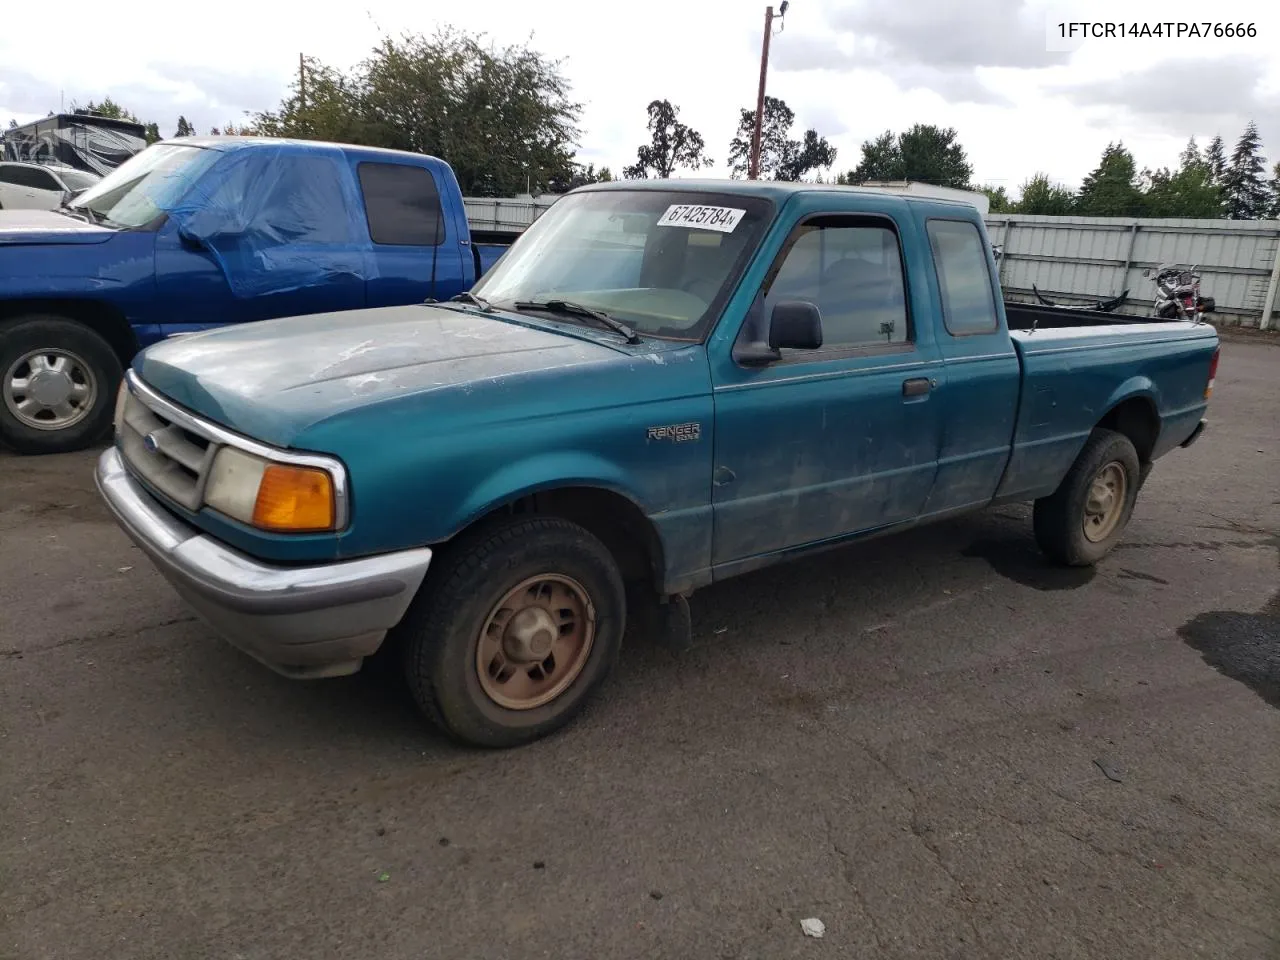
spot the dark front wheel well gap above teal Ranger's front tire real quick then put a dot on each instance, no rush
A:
(611, 518)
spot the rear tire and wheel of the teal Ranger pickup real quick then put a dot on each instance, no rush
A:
(1084, 520)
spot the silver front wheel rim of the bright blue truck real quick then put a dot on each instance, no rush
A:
(49, 390)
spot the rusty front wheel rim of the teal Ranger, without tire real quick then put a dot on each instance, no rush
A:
(536, 642)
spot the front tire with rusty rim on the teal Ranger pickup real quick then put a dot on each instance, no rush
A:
(522, 628)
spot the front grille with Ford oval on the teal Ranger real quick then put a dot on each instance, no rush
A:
(171, 456)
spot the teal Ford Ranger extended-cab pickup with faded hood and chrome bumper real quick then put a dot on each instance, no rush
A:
(664, 385)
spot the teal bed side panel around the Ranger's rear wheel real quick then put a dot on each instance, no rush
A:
(1072, 380)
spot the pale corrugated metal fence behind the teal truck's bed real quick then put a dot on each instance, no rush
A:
(1075, 259)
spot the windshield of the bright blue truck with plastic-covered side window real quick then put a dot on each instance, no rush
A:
(145, 186)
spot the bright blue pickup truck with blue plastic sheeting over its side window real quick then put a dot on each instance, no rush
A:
(203, 232)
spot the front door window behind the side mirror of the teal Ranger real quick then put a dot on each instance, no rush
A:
(853, 273)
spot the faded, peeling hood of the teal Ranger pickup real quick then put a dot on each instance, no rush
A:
(277, 378)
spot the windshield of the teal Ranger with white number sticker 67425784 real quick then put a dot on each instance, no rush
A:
(662, 262)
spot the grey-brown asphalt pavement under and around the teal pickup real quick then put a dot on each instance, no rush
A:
(936, 744)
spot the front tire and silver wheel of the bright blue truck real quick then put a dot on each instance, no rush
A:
(58, 383)
